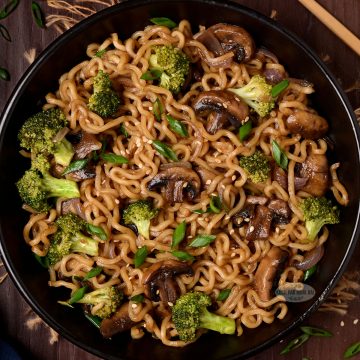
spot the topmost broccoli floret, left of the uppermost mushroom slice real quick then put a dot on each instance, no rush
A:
(173, 64)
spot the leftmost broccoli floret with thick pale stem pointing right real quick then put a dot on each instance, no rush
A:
(37, 185)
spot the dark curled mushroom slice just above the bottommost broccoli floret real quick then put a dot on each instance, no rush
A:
(159, 282)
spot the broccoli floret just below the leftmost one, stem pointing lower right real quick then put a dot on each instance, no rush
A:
(69, 238)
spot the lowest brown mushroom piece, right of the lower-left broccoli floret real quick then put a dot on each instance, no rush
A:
(118, 322)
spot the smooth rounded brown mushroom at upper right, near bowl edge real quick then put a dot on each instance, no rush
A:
(308, 125)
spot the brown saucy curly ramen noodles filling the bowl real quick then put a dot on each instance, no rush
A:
(226, 204)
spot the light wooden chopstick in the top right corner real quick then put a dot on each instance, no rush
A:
(333, 24)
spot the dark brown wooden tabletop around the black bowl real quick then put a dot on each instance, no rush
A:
(34, 344)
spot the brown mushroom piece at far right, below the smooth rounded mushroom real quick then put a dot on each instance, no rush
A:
(316, 169)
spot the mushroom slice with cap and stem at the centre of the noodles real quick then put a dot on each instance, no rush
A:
(180, 182)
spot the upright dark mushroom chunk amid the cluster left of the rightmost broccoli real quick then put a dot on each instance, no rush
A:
(260, 224)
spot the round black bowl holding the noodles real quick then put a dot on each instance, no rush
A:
(69, 50)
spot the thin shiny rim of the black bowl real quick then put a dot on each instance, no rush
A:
(125, 5)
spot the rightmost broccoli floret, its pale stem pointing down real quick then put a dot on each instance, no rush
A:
(317, 213)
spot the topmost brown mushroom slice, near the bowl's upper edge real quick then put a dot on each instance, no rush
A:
(223, 38)
